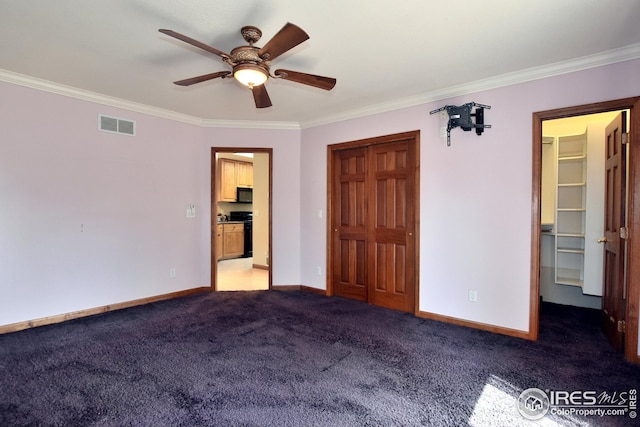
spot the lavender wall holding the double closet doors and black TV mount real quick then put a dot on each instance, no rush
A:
(475, 198)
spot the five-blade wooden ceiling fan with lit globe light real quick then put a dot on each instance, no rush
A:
(251, 65)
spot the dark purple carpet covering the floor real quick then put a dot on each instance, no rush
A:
(293, 358)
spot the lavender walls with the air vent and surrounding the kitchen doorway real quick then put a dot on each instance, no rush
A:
(89, 218)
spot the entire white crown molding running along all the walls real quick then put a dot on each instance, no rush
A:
(623, 54)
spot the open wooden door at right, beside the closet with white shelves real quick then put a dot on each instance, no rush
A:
(615, 195)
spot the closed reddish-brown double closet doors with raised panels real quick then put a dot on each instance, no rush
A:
(373, 201)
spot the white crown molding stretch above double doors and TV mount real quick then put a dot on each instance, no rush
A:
(613, 56)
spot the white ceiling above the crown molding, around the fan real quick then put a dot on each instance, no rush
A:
(383, 53)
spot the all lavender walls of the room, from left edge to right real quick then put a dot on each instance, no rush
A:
(90, 218)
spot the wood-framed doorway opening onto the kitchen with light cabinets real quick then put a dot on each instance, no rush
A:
(241, 218)
